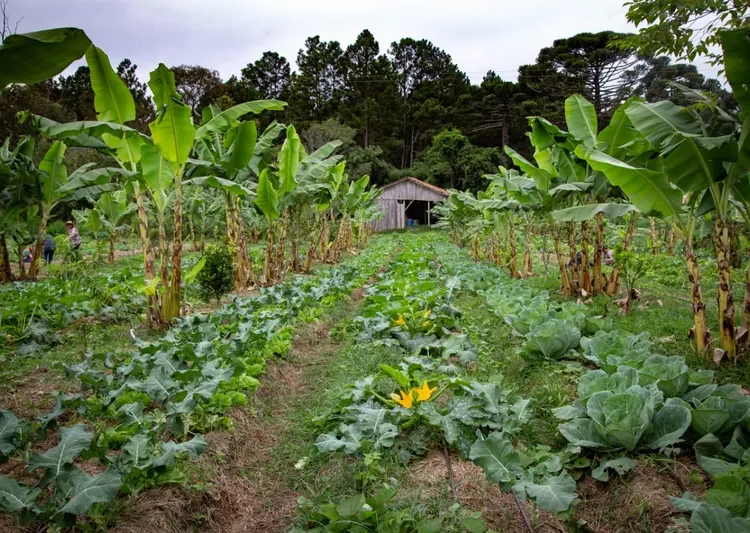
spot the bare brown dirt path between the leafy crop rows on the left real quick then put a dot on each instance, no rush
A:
(247, 488)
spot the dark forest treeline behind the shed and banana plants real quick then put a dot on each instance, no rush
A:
(405, 110)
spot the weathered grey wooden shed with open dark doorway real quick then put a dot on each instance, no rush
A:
(405, 200)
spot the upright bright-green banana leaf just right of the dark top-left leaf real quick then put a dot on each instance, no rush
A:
(112, 98)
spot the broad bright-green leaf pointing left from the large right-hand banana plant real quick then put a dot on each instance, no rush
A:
(649, 190)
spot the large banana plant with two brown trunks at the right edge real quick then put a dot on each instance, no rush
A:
(684, 162)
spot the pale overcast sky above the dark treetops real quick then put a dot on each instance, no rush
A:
(225, 35)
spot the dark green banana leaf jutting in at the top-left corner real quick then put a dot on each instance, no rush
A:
(33, 57)
